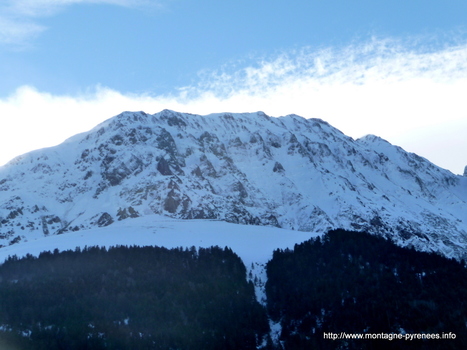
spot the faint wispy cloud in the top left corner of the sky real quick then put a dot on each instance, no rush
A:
(19, 18)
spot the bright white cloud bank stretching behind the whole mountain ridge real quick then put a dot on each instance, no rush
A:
(412, 96)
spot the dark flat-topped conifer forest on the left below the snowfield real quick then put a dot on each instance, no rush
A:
(129, 298)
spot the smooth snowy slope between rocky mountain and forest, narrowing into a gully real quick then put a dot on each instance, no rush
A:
(253, 244)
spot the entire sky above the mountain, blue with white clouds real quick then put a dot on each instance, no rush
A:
(397, 69)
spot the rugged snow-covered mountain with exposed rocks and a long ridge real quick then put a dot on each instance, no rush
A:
(289, 172)
